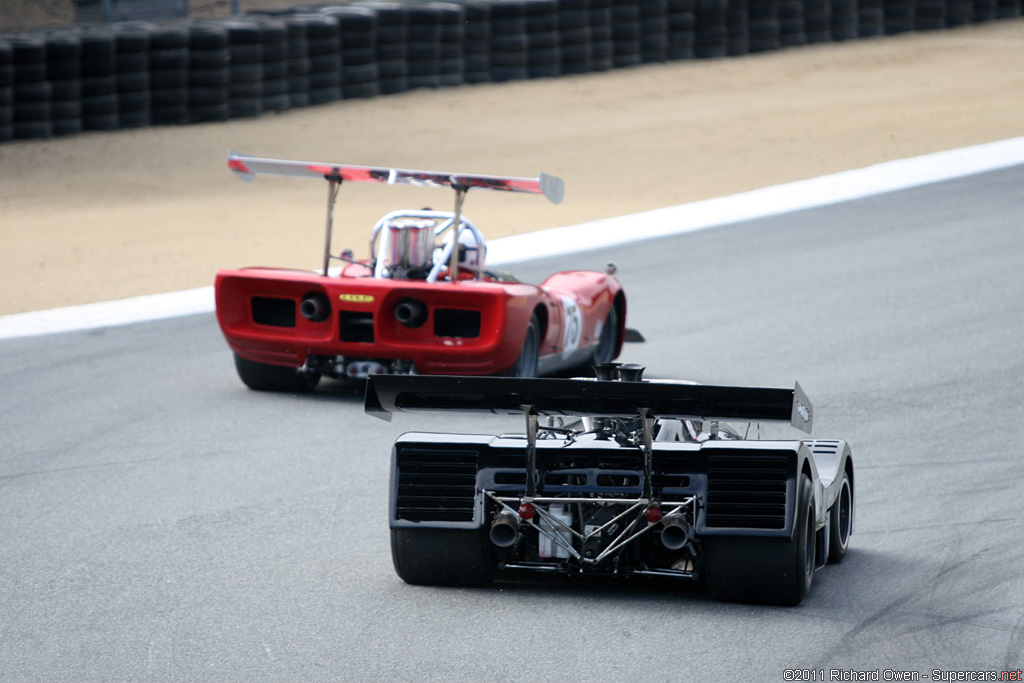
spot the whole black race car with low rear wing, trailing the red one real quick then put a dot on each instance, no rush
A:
(616, 477)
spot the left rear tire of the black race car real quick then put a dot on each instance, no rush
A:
(443, 558)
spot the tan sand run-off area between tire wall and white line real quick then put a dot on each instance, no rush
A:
(103, 217)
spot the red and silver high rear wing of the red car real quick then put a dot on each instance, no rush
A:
(248, 167)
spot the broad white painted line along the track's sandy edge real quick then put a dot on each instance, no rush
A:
(886, 178)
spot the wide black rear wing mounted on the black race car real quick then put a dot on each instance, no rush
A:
(407, 394)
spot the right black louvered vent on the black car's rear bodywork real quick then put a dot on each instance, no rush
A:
(748, 490)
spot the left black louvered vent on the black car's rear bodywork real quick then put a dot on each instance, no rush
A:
(437, 485)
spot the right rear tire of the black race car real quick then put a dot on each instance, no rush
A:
(766, 571)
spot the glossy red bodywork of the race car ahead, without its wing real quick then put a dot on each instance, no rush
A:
(471, 327)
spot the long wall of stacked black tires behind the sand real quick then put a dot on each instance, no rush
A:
(133, 74)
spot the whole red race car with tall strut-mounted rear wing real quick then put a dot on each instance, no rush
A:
(423, 304)
